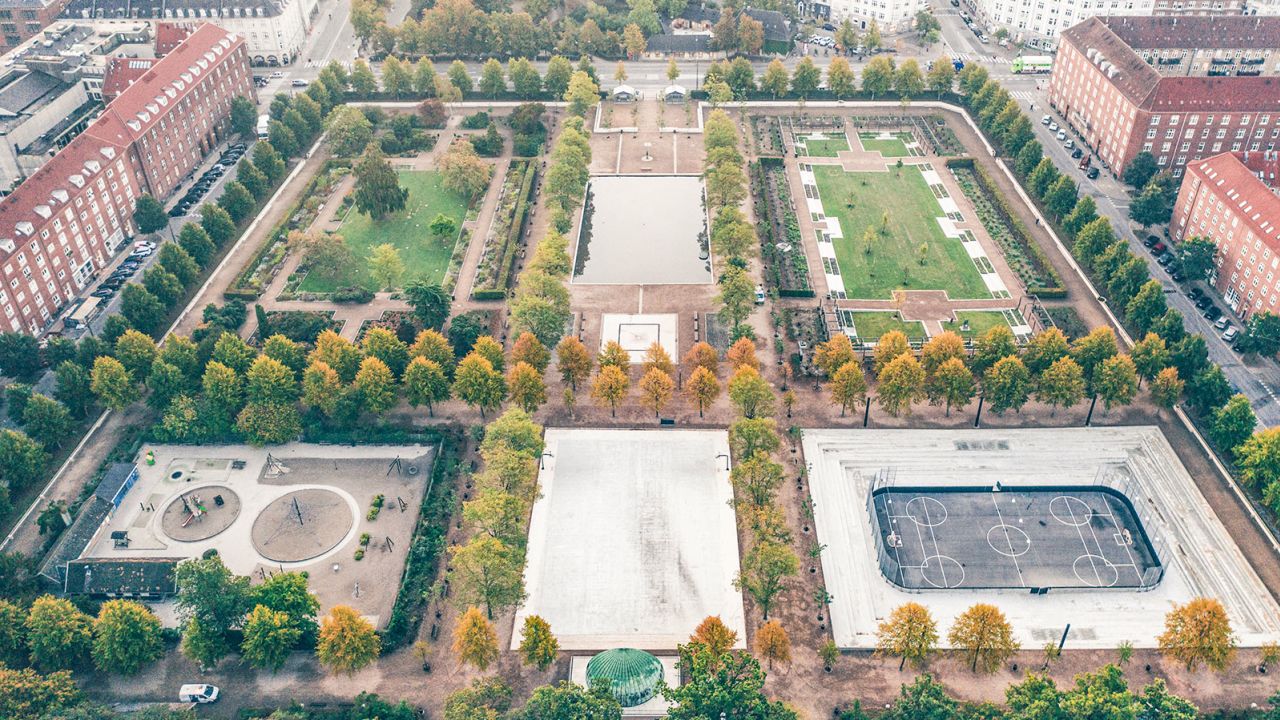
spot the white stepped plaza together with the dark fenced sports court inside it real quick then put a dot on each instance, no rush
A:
(1025, 549)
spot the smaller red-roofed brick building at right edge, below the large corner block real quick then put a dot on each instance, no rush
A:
(1226, 202)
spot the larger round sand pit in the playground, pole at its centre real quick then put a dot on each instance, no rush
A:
(301, 526)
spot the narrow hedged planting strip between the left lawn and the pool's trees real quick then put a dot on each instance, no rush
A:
(499, 258)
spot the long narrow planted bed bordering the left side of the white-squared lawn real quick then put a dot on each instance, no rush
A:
(781, 247)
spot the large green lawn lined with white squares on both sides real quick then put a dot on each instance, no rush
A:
(861, 200)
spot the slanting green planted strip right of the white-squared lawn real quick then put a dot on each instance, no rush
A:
(1021, 252)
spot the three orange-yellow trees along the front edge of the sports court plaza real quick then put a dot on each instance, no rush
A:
(1196, 634)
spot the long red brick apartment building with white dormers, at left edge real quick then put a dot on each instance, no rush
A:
(66, 221)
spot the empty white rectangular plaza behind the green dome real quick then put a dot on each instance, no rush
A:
(633, 541)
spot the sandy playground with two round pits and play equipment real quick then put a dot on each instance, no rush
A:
(298, 507)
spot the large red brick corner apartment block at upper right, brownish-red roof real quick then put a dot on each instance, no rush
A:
(1180, 88)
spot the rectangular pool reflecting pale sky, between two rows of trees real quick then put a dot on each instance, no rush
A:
(643, 230)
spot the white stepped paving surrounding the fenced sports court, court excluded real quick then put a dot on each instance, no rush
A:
(1197, 552)
